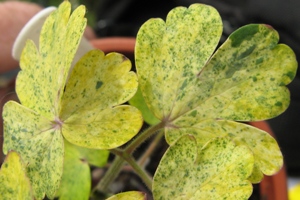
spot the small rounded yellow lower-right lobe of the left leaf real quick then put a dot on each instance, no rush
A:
(111, 128)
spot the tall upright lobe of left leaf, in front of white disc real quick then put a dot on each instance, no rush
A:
(40, 83)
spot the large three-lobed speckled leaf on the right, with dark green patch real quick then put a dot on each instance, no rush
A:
(194, 92)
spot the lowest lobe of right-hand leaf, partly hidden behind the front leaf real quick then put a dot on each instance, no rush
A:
(267, 154)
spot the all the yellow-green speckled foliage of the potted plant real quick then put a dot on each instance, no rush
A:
(69, 117)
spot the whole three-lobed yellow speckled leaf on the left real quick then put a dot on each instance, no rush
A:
(85, 110)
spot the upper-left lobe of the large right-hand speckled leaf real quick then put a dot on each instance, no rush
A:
(170, 55)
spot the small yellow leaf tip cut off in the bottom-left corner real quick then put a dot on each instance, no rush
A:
(13, 179)
